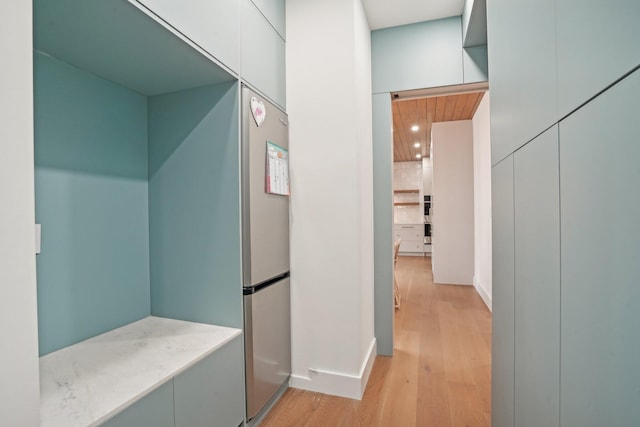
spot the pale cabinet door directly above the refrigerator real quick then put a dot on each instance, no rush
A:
(262, 54)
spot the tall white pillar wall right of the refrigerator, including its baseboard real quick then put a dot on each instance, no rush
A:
(329, 106)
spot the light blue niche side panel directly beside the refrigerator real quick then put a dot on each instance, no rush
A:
(194, 205)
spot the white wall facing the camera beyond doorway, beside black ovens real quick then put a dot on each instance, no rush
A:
(452, 217)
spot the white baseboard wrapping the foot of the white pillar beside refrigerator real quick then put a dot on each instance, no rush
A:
(338, 383)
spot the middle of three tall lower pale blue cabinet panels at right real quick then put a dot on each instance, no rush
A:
(537, 290)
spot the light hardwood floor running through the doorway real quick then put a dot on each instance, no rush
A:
(439, 375)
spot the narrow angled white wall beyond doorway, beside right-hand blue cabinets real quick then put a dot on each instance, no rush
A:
(482, 200)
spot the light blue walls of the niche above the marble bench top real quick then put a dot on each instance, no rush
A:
(138, 197)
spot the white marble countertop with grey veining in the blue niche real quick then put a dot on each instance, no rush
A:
(89, 382)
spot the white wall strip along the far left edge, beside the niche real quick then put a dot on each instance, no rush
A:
(19, 394)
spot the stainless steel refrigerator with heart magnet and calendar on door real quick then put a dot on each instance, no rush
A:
(265, 254)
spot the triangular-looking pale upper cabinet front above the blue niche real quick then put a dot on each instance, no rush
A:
(212, 25)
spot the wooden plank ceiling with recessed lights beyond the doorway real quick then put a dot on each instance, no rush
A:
(423, 112)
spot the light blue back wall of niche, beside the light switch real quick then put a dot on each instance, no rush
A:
(91, 199)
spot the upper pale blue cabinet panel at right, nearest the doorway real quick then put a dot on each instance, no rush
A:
(522, 49)
